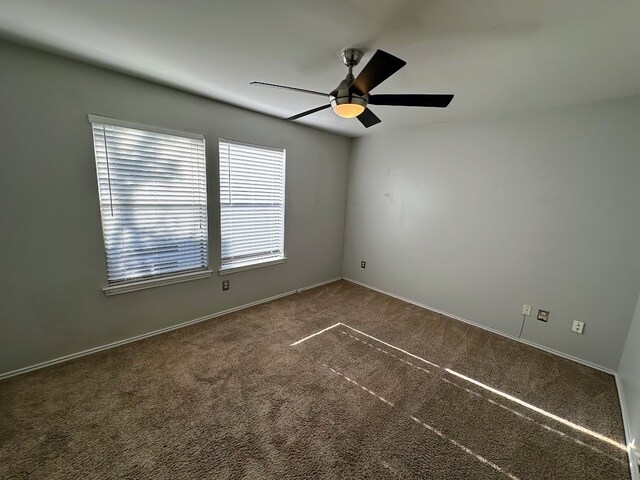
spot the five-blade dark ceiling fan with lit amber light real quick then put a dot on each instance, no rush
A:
(351, 96)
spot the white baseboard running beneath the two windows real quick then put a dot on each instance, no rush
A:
(89, 351)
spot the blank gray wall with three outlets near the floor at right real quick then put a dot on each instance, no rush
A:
(477, 218)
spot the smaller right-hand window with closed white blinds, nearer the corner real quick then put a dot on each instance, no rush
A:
(251, 205)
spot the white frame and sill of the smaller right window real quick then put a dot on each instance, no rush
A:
(225, 270)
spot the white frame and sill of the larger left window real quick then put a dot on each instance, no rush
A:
(142, 283)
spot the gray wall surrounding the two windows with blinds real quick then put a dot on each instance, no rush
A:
(53, 268)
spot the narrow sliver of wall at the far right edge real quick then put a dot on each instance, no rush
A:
(629, 375)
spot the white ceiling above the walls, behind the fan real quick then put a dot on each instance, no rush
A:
(496, 56)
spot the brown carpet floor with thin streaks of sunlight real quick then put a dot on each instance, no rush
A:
(229, 398)
